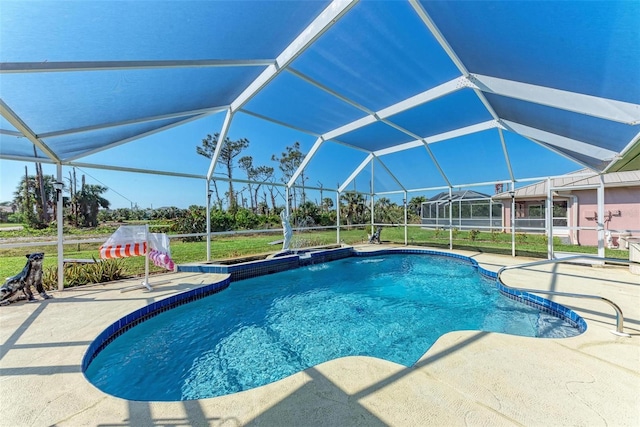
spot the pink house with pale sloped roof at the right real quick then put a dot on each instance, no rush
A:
(575, 205)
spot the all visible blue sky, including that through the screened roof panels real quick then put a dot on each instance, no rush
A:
(380, 53)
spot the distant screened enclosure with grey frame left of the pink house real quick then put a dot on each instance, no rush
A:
(468, 209)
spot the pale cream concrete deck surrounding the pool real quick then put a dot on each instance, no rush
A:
(466, 378)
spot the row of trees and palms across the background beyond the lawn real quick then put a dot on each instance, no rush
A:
(251, 206)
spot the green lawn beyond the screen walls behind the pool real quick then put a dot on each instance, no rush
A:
(13, 260)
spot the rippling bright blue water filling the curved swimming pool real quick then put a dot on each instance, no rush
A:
(260, 330)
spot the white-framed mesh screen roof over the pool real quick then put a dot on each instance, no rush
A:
(382, 77)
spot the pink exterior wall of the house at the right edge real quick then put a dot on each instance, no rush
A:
(622, 213)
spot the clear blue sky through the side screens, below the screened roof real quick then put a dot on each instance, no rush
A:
(475, 158)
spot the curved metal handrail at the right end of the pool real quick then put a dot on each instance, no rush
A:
(619, 316)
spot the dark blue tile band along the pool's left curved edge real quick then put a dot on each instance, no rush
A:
(127, 322)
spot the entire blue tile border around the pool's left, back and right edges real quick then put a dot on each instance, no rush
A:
(288, 262)
